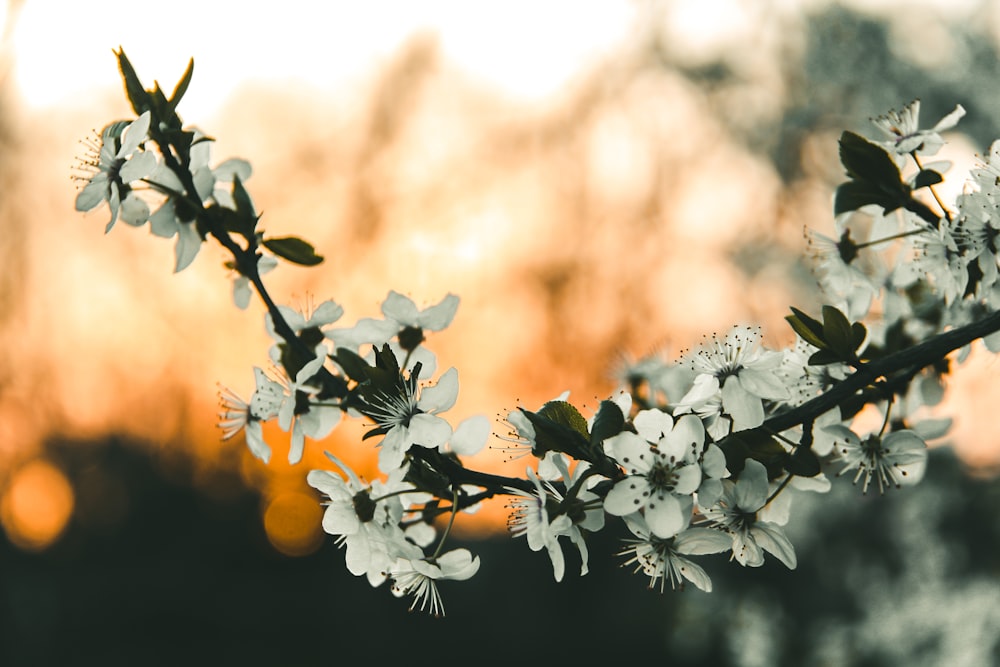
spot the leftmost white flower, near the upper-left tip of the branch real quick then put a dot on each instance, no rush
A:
(117, 164)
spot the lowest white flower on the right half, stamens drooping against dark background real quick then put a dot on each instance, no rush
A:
(660, 559)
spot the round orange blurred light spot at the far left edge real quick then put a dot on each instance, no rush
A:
(36, 505)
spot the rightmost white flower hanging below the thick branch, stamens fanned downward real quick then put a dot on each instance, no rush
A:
(896, 459)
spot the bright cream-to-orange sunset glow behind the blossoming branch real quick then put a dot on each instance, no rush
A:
(524, 155)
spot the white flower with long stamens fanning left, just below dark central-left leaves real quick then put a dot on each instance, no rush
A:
(409, 417)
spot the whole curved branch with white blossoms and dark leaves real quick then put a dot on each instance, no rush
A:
(697, 456)
